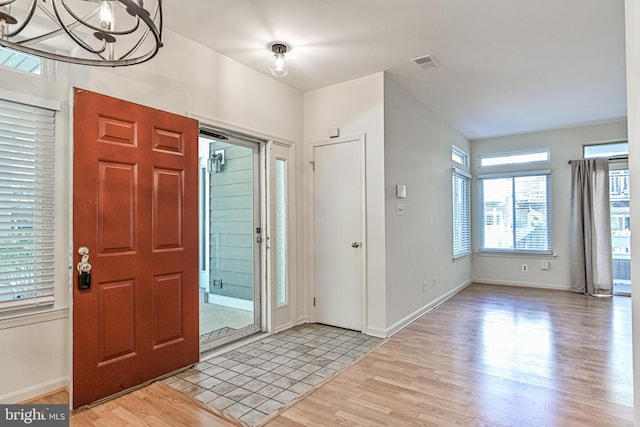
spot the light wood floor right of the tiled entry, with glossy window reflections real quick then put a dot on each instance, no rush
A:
(491, 356)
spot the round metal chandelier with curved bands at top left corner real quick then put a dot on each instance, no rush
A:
(89, 32)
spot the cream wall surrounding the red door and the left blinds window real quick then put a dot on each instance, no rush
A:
(184, 78)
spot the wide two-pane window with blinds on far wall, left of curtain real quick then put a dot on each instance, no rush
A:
(515, 212)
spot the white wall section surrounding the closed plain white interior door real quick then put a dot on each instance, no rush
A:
(356, 107)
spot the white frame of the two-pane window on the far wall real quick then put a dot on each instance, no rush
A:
(482, 218)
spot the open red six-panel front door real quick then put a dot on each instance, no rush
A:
(135, 209)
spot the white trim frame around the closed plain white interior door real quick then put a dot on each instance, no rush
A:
(363, 231)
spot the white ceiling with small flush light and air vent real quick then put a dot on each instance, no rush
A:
(506, 66)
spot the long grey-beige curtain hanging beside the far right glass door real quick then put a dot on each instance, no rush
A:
(590, 239)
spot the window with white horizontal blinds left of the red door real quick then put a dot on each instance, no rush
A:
(26, 206)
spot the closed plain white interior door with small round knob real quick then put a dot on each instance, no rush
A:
(339, 233)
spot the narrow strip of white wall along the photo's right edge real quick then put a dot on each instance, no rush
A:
(632, 13)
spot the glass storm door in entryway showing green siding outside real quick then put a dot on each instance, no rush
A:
(229, 238)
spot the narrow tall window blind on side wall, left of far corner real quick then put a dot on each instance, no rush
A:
(461, 213)
